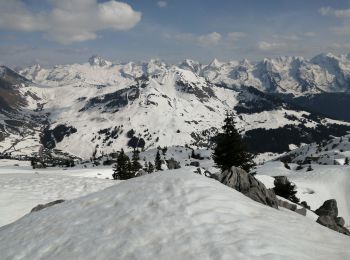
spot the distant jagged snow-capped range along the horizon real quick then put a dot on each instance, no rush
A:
(295, 75)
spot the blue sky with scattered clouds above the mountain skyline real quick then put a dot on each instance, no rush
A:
(52, 32)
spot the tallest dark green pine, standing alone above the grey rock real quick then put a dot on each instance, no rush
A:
(230, 150)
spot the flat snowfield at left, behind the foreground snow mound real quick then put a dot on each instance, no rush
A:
(22, 188)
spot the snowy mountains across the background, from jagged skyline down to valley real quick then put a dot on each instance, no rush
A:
(99, 107)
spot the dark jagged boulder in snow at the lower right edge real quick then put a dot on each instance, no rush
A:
(328, 217)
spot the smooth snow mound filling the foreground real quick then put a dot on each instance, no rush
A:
(175, 215)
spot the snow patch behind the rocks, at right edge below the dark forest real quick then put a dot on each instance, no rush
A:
(315, 187)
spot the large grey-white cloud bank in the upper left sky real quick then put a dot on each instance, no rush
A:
(69, 21)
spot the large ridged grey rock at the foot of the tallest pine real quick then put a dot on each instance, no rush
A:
(245, 183)
